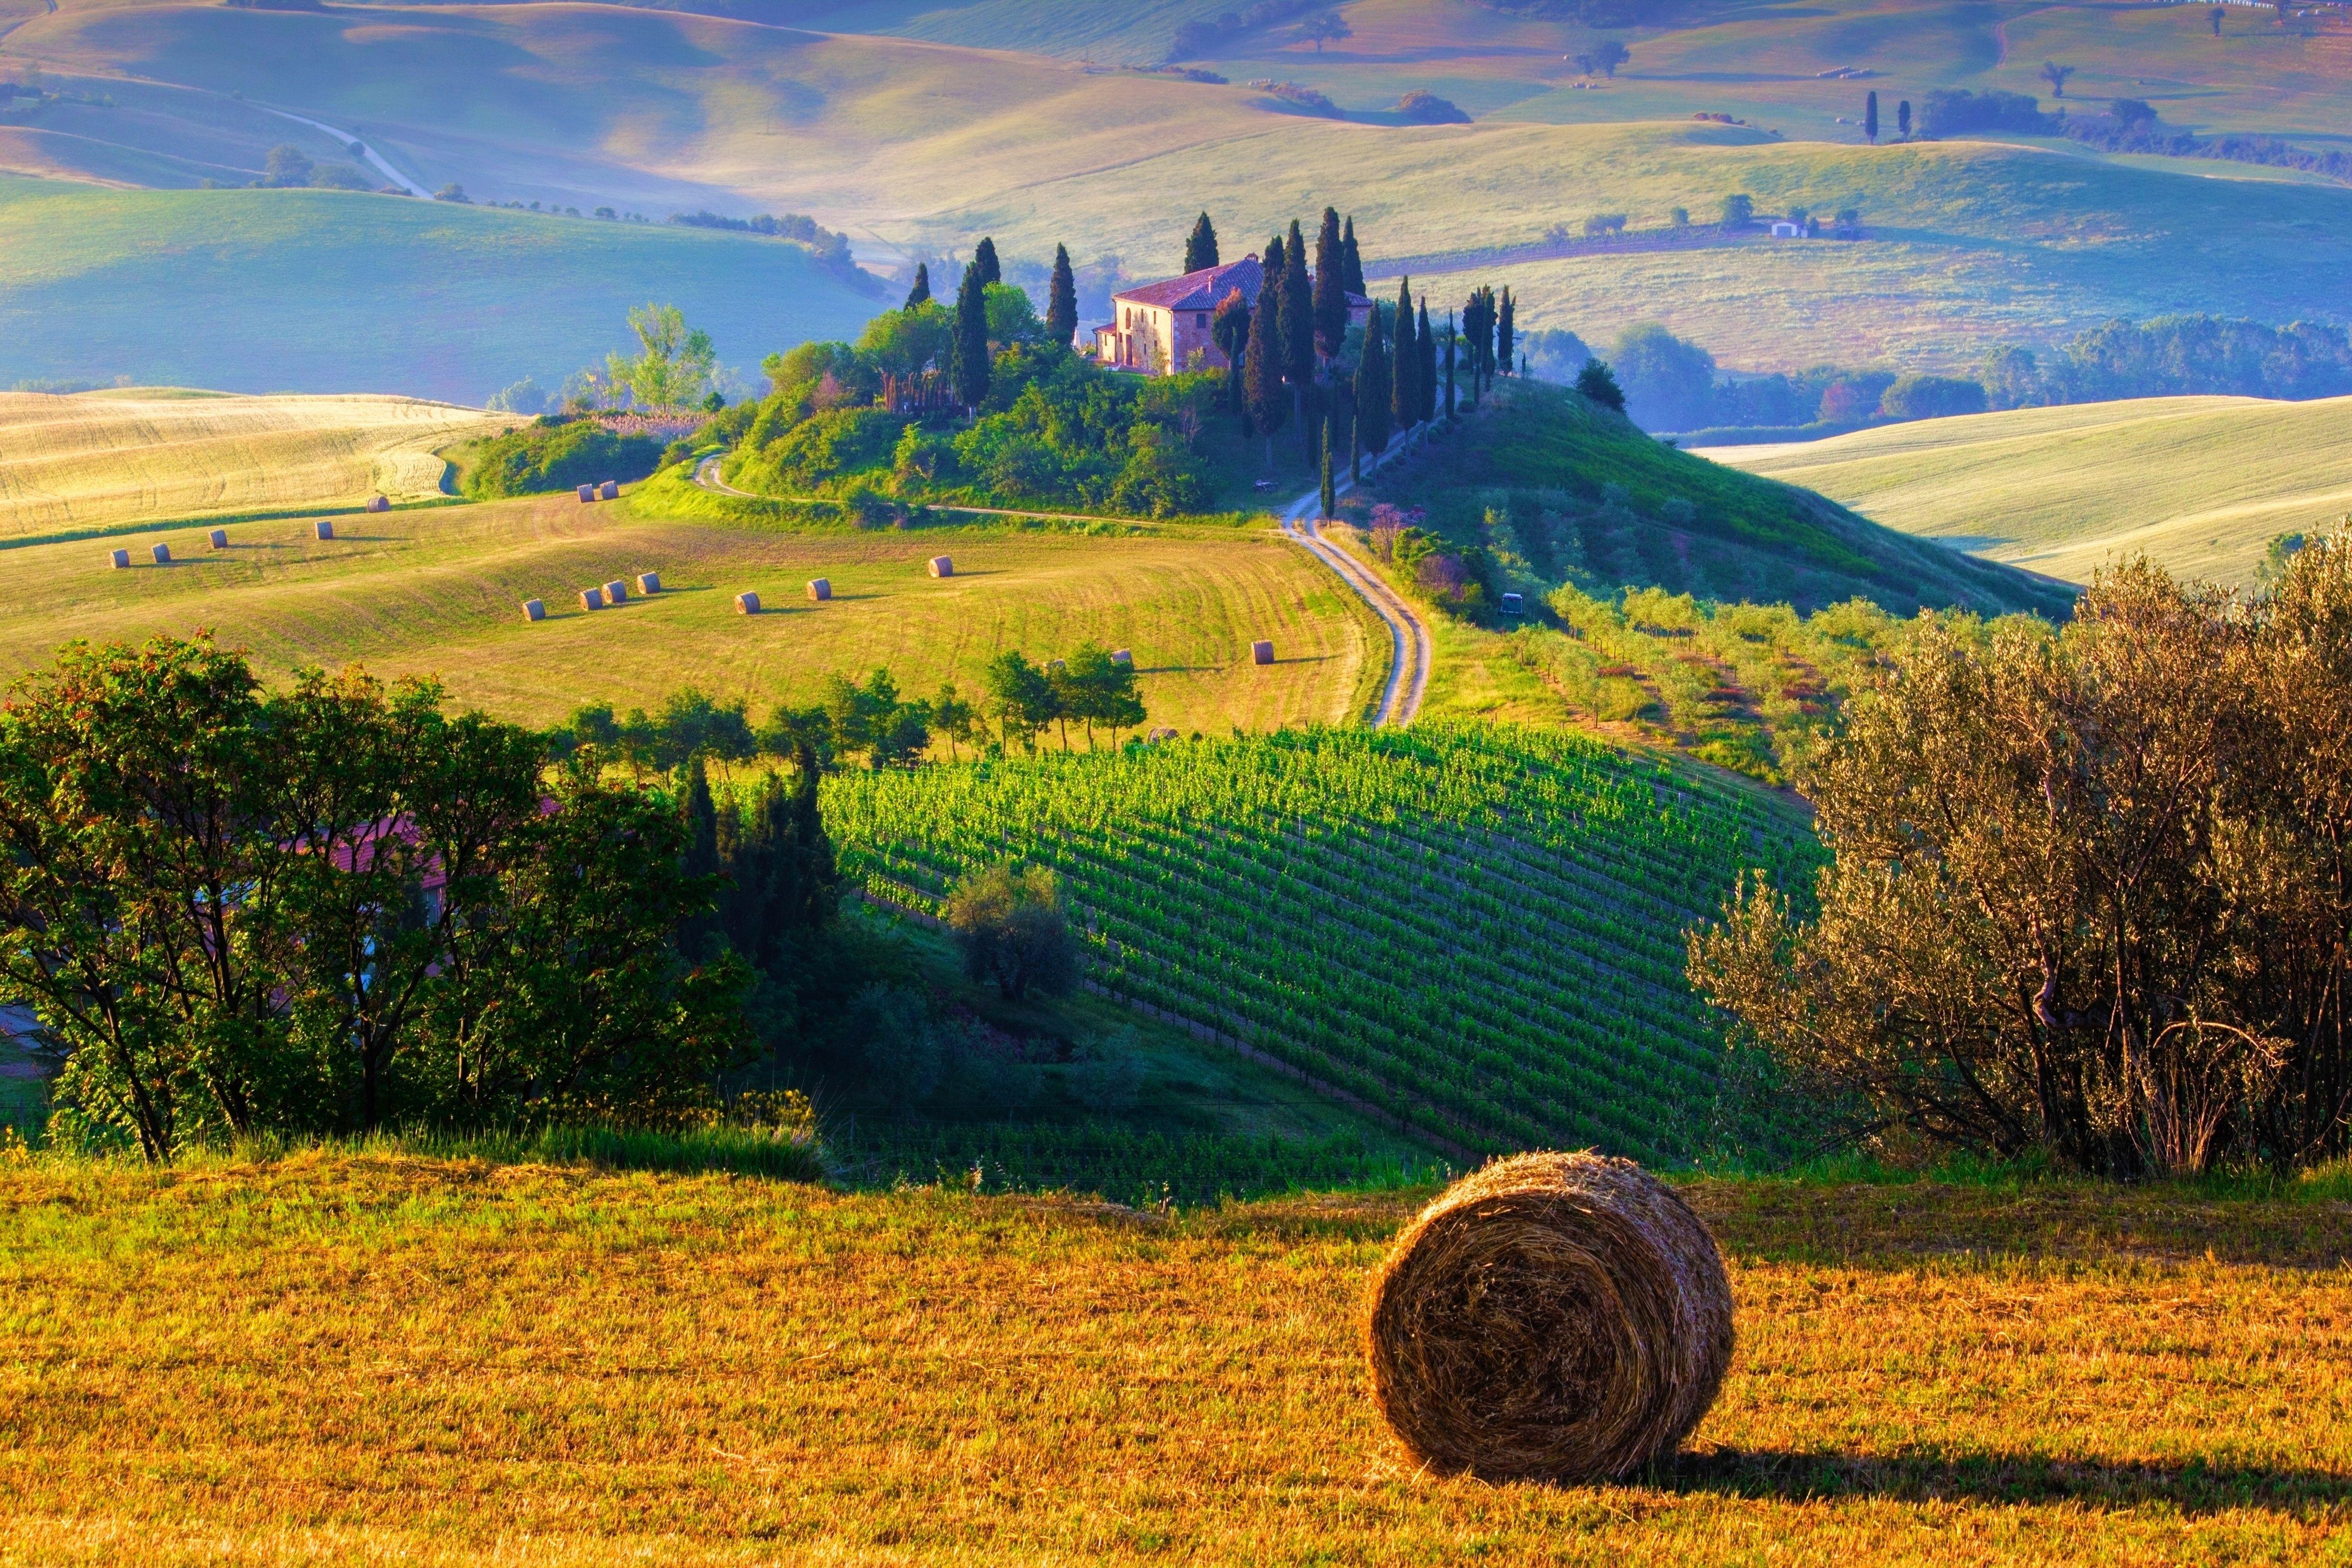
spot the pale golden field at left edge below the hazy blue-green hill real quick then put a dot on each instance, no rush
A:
(119, 460)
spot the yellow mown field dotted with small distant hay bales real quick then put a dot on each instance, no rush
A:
(439, 591)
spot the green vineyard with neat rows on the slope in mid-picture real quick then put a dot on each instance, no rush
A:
(1474, 930)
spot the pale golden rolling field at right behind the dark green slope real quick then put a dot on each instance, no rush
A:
(2200, 485)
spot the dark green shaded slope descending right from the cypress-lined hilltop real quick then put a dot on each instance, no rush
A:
(1570, 492)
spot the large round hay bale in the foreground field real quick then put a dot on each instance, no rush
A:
(1553, 1318)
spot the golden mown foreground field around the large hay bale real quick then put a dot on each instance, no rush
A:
(377, 1358)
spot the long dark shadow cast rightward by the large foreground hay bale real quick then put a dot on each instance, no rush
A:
(2000, 1477)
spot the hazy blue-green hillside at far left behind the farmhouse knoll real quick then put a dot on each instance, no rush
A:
(330, 293)
